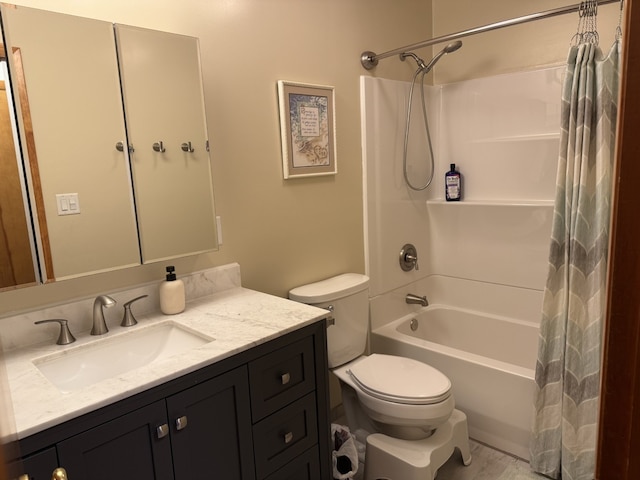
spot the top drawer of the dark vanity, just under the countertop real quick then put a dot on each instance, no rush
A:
(281, 377)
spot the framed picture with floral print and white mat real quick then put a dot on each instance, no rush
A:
(307, 125)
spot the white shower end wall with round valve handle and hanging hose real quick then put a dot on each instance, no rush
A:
(394, 214)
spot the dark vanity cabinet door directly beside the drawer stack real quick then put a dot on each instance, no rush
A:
(211, 429)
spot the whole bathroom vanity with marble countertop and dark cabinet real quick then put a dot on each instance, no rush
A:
(252, 403)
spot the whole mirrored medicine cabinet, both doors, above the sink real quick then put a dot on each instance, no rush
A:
(103, 200)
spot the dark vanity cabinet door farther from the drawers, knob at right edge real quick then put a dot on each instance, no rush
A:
(130, 447)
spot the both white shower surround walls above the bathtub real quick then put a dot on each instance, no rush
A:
(503, 133)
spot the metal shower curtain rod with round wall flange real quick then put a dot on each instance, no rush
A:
(370, 59)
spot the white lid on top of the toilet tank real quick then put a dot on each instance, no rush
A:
(330, 289)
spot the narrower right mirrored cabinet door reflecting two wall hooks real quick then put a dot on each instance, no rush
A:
(164, 110)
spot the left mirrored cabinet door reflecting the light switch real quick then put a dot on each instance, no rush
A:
(70, 70)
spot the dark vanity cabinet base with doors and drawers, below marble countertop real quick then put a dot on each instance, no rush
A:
(259, 415)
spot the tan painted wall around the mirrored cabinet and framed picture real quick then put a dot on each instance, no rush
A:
(283, 233)
